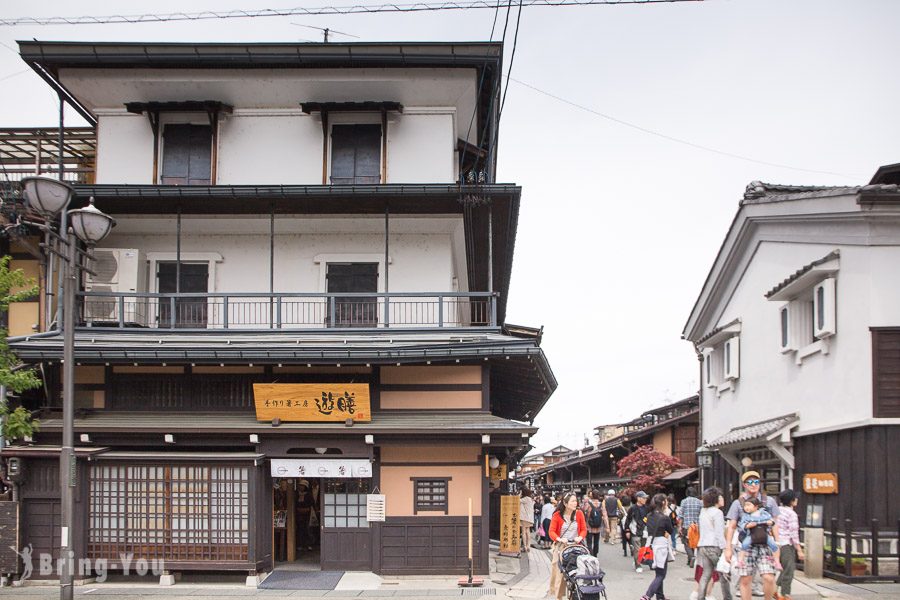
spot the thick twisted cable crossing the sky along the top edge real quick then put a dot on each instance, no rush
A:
(323, 10)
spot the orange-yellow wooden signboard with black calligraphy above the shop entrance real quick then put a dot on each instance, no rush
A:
(312, 402)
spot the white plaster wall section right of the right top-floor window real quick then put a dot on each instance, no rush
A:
(421, 148)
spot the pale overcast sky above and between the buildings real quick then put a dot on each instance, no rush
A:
(618, 227)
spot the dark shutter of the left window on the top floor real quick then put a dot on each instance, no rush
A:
(187, 154)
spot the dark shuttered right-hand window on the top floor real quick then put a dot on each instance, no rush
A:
(355, 154)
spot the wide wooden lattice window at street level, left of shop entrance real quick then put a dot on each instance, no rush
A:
(171, 512)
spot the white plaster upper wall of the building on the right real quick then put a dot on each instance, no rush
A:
(826, 389)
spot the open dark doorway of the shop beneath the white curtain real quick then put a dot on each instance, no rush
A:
(296, 520)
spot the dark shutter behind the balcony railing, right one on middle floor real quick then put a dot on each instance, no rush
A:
(353, 311)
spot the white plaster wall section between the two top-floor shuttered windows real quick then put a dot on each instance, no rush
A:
(270, 148)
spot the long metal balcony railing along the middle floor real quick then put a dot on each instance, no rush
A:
(288, 311)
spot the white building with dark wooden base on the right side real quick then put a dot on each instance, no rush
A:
(798, 328)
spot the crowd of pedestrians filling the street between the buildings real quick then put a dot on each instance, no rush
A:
(758, 538)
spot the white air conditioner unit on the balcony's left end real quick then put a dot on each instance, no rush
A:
(121, 270)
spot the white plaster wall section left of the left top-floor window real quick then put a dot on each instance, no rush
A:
(124, 149)
